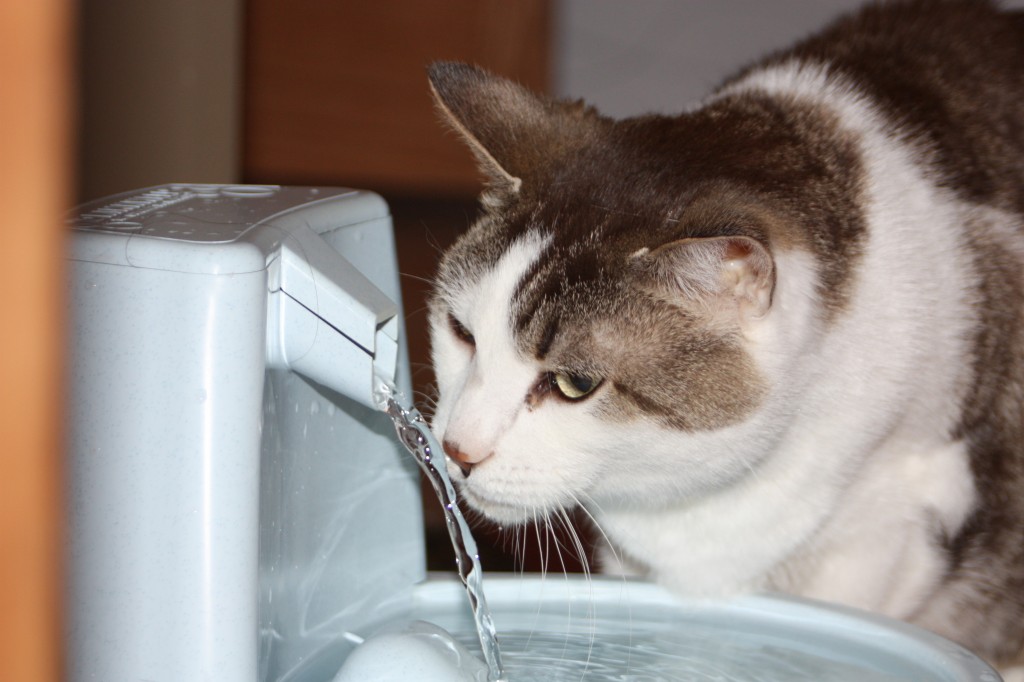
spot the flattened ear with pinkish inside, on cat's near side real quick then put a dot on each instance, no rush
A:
(719, 273)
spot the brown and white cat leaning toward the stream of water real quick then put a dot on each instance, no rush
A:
(776, 343)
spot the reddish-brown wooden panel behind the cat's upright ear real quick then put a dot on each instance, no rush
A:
(336, 93)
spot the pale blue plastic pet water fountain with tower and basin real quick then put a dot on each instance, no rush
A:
(241, 510)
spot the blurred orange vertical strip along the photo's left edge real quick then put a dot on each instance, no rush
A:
(35, 160)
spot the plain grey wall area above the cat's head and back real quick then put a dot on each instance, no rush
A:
(664, 56)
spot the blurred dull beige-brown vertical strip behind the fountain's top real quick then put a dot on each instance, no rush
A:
(160, 90)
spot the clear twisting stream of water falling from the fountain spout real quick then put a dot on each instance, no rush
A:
(417, 438)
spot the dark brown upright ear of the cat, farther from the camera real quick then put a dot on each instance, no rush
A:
(513, 132)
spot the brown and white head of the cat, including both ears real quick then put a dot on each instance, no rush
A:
(600, 334)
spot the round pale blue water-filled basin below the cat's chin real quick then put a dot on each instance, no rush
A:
(558, 629)
